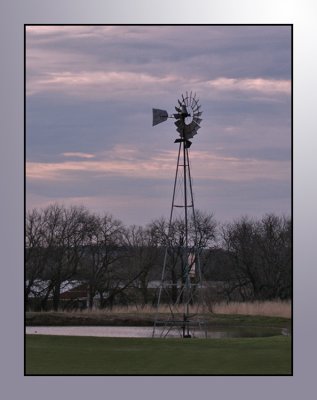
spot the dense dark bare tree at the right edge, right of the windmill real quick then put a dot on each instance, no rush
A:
(260, 253)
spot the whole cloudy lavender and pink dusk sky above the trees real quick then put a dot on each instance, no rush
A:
(90, 91)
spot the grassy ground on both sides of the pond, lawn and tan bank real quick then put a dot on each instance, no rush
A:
(66, 355)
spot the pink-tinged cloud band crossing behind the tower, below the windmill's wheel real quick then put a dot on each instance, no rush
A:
(129, 162)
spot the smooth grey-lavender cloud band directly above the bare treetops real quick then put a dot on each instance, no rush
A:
(152, 199)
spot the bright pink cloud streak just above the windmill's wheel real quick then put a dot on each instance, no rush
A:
(99, 84)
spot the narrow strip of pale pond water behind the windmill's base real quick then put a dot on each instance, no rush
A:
(136, 331)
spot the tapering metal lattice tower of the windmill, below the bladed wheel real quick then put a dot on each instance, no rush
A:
(180, 320)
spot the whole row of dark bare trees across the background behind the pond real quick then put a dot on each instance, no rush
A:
(250, 259)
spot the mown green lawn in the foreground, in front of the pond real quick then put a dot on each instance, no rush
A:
(66, 355)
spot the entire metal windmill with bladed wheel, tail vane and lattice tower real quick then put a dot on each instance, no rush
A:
(181, 280)
